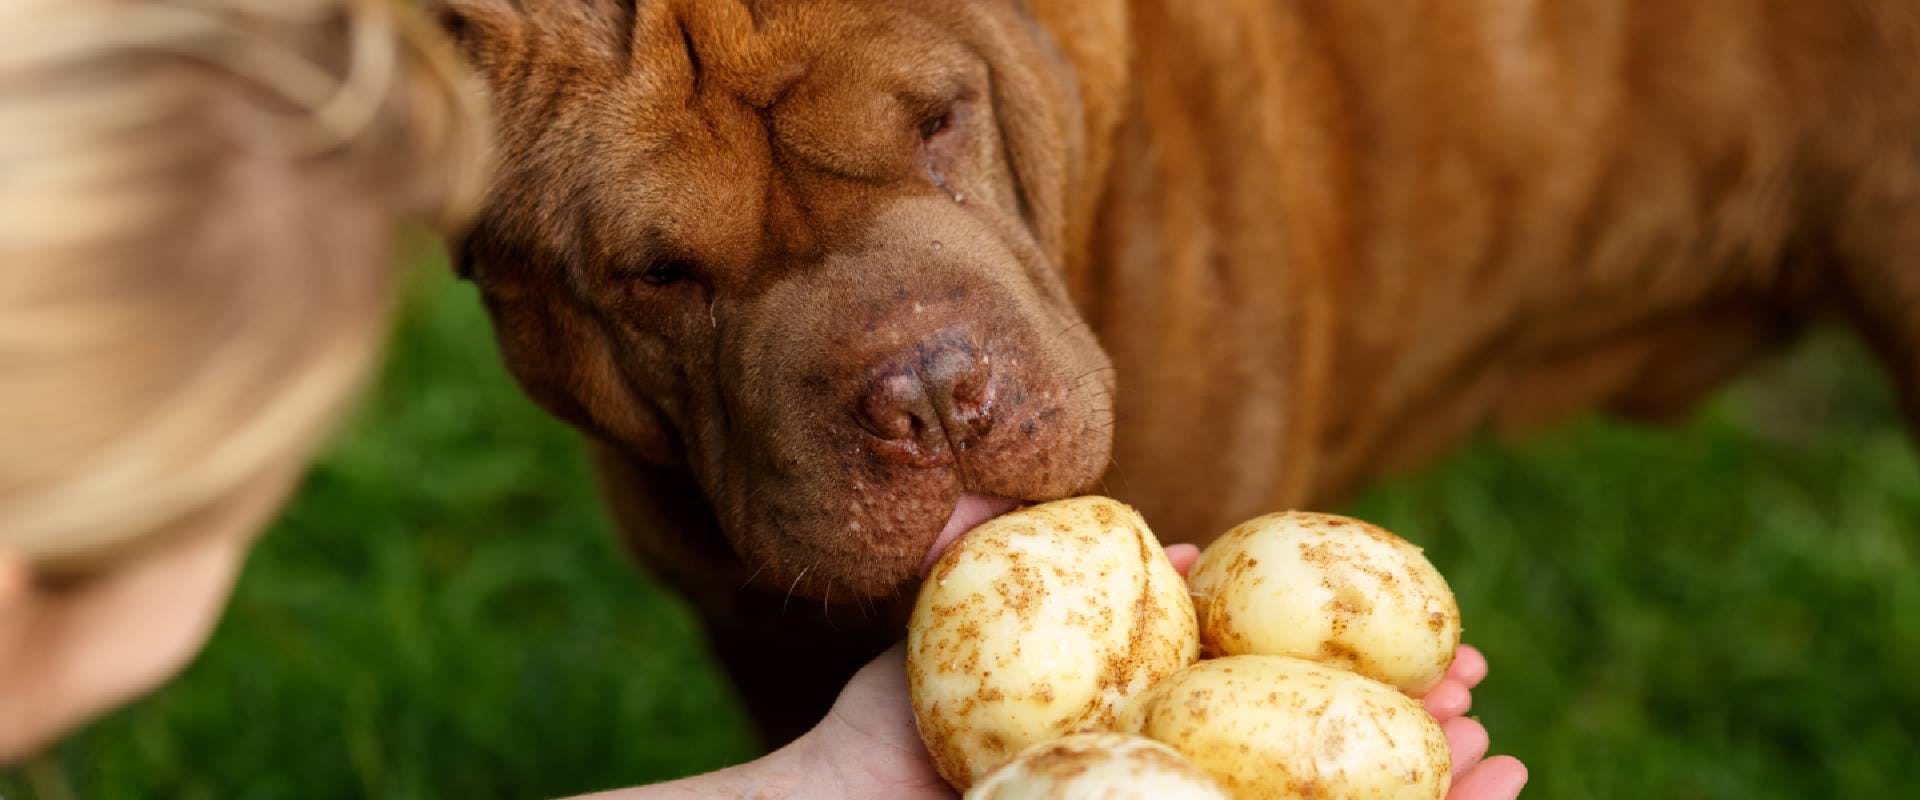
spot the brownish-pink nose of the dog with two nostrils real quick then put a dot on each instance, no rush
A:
(932, 400)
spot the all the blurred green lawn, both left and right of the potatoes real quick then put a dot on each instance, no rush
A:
(1716, 611)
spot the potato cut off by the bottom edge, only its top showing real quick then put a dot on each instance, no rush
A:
(1097, 766)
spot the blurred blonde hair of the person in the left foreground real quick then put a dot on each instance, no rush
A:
(195, 202)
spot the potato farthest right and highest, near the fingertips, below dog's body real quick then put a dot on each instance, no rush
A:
(1330, 590)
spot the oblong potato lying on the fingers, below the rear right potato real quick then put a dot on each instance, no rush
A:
(1285, 728)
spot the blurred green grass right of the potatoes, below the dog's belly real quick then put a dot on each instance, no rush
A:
(1721, 611)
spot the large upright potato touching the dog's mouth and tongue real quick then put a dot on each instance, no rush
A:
(1040, 624)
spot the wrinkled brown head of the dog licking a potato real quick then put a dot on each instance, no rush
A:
(809, 250)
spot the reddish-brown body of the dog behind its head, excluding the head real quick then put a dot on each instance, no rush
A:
(1489, 214)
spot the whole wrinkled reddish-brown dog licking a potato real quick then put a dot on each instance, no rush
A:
(809, 273)
